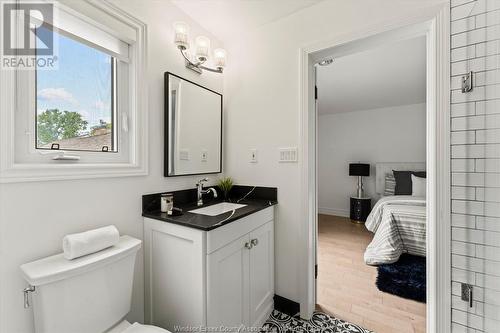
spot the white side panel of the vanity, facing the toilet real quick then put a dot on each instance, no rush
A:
(174, 276)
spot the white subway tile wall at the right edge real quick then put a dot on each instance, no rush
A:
(475, 164)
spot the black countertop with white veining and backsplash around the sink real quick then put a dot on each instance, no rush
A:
(255, 199)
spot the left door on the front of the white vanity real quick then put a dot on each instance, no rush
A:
(227, 285)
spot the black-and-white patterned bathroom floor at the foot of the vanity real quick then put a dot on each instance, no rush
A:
(319, 323)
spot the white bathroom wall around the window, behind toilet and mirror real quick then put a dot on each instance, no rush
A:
(34, 217)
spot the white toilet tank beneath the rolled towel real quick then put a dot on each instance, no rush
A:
(89, 294)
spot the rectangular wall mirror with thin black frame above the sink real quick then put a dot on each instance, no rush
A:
(193, 127)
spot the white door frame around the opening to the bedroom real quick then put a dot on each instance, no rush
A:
(434, 24)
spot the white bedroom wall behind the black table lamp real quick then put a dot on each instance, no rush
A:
(395, 134)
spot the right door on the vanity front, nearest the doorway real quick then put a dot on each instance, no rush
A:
(261, 273)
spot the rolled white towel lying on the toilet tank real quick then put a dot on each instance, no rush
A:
(77, 245)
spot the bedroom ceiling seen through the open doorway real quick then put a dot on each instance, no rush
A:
(390, 75)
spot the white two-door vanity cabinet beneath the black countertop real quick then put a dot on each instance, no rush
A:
(222, 277)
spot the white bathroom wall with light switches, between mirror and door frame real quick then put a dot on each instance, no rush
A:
(262, 106)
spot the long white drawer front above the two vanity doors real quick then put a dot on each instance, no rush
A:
(219, 237)
